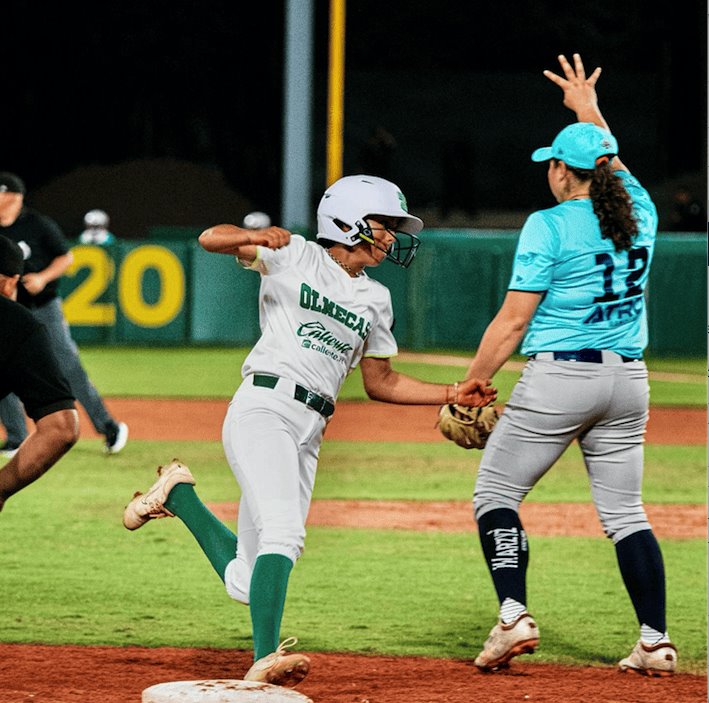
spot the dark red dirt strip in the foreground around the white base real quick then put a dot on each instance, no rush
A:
(45, 674)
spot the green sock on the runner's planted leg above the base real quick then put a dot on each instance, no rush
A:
(267, 595)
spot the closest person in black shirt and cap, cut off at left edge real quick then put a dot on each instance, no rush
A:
(28, 369)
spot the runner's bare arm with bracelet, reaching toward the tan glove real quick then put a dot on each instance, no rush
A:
(383, 383)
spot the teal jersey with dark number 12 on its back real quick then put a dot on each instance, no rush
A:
(593, 296)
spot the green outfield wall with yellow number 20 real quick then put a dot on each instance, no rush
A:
(169, 291)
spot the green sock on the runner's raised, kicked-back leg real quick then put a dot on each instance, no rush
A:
(217, 541)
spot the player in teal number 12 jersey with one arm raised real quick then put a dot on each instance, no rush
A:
(576, 296)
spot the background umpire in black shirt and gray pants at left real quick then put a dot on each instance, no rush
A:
(47, 256)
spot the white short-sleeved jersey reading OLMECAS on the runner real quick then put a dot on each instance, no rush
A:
(316, 321)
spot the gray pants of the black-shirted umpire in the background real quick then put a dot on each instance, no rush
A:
(67, 354)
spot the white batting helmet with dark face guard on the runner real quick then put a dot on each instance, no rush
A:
(350, 200)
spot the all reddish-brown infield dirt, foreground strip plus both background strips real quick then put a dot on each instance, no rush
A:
(75, 674)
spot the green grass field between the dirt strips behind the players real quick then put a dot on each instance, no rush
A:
(72, 574)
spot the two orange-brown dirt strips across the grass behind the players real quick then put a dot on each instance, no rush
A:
(371, 421)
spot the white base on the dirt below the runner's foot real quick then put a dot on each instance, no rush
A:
(221, 691)
